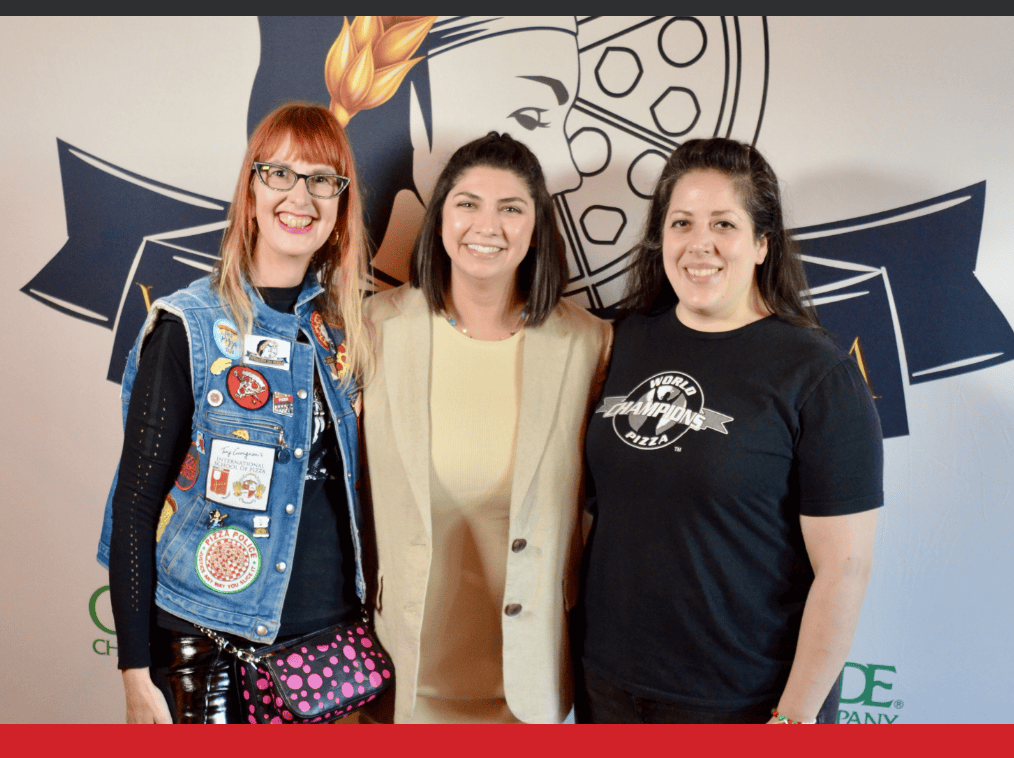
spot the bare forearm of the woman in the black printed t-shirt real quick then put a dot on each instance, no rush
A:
(841, 552)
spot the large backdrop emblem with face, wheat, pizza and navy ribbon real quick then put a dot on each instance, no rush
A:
(602, 102)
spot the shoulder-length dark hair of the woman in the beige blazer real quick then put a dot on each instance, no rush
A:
(543, 274)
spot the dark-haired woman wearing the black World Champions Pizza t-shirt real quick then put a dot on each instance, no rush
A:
(738, 462)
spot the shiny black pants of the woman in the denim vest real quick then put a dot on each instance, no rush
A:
(197, 678)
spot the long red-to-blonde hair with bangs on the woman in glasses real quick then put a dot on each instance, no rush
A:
(341, 264)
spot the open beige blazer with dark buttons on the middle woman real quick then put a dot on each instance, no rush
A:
(565, 362)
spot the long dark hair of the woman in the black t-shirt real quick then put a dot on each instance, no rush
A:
(780, 278)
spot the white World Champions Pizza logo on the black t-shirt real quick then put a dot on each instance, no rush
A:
(661, 411)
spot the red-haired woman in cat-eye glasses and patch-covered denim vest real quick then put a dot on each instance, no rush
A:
(235, 512)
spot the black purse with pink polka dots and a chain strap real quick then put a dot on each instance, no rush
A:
(314, 679)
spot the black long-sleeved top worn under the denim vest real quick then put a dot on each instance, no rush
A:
(322, 587)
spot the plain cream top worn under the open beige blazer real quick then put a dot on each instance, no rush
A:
(475, 397)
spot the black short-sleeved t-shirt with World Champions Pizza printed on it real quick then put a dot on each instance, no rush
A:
(705, 451)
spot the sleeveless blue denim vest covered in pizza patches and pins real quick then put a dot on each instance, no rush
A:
(228, 533)
